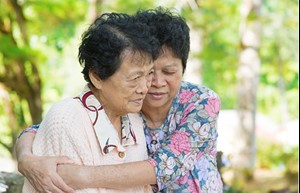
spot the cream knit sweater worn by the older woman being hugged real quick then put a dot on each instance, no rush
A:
(68, 131)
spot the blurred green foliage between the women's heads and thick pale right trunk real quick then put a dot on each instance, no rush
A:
(218, 22)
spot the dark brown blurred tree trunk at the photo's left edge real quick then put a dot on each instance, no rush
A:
(19, 75)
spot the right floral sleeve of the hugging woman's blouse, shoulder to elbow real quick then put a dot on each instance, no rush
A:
(195, 136)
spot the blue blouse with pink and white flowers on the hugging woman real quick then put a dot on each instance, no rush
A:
(183, 150)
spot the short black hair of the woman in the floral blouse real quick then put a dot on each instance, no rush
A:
(169, 28)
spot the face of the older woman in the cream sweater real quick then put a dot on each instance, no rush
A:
(126, 89)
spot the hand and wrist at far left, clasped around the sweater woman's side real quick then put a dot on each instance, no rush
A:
(40, 171)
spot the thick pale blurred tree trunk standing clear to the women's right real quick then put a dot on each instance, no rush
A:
(248, 78)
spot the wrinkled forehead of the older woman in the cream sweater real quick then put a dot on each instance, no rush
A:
(137, 57)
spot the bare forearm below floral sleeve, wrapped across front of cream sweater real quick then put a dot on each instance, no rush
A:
(118, 176)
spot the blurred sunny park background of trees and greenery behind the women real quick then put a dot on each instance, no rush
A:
(245, 50)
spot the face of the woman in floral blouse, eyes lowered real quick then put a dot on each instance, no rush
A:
(166, 81)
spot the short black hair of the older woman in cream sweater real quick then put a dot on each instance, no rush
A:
(105, 40)
